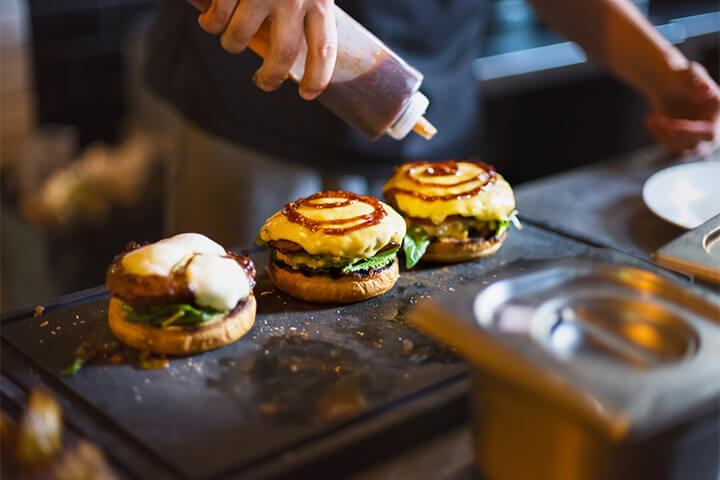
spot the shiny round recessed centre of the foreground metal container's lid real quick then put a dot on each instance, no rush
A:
(589, 314)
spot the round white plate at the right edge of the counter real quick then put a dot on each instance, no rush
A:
(686, 195)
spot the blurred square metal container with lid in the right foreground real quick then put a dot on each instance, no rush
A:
(587, 370)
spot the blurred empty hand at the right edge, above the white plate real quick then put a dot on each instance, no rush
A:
(685, 118)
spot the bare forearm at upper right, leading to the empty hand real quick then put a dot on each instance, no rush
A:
(615, 34)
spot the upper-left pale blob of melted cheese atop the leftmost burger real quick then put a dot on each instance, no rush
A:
(161, 257)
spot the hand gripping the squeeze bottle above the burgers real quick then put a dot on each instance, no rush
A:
(292, 21)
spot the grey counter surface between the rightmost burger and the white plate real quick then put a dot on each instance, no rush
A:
(602, 203)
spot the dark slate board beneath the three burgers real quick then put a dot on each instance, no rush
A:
(274, 400)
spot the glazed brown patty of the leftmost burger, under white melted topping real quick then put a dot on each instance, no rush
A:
(144, 291)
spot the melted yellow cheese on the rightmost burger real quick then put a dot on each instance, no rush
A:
(495, 201)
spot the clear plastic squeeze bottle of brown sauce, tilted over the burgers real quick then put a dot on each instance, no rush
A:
(371, 88)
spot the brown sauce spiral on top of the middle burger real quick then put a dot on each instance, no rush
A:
(330, 227)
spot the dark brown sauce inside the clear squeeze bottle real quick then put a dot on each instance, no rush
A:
(374, 100)
